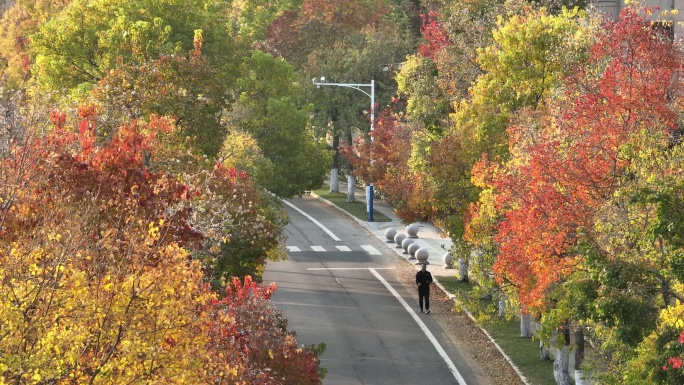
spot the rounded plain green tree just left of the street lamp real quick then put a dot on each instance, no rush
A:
(272, 111)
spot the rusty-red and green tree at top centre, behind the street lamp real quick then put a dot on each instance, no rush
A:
(346, 42)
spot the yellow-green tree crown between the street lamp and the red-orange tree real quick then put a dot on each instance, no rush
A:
(516, 78)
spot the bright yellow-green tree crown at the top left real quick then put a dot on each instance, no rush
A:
(79, 45)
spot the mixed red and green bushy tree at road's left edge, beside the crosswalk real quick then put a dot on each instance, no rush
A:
(242, 225)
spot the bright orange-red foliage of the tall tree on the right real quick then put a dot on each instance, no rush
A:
(578, 160)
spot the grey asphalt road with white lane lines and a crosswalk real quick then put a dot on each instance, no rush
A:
(339, 287)
